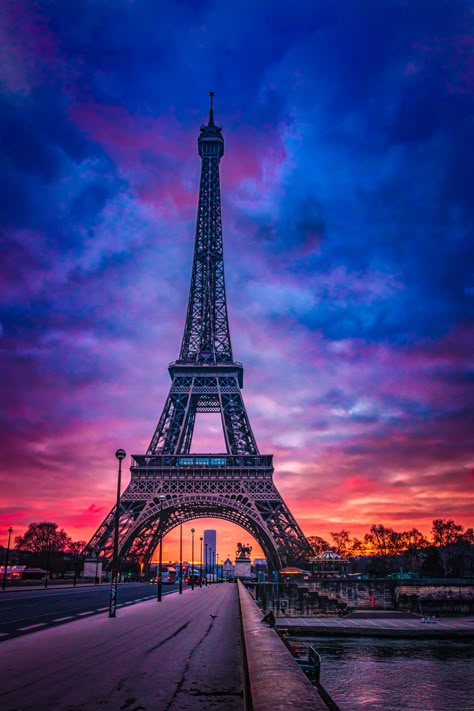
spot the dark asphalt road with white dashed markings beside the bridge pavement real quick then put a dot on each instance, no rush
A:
(26, 611)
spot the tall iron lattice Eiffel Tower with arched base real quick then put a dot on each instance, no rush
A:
(170, 485)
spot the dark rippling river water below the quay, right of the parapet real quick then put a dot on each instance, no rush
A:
(397, 674)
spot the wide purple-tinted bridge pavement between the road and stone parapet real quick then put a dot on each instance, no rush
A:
(182, 653)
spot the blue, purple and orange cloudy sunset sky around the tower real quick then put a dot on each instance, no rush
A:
(348, 208)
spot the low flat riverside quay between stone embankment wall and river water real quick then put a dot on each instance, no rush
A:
(379, 626)
